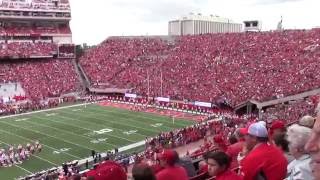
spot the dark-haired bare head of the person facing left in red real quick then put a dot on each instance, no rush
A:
(218, 162)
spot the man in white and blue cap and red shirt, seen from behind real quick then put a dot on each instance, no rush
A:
(263, 160)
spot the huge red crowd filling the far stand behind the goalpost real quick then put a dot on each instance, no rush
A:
(235, 66)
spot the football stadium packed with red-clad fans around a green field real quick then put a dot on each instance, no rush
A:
(215, 99)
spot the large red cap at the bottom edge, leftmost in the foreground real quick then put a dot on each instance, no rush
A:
(108, 170)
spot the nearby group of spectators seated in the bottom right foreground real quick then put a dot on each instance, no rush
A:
(261, 150)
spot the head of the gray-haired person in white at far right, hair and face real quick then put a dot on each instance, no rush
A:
(297, 137)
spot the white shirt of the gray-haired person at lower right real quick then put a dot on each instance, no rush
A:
(299, 169)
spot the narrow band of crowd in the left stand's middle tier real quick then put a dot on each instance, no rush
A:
(27, 49)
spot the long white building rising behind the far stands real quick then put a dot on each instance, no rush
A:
(198, 24)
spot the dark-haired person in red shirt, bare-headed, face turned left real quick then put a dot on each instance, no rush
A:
(219, 166)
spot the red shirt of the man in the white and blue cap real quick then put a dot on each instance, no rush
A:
(267, 159)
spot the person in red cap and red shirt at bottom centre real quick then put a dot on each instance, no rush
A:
(171, 171)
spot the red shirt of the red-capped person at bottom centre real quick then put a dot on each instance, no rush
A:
(172, 173)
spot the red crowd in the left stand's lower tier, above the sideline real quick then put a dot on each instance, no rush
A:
(41, 78)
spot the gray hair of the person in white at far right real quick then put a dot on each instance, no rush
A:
(298, 135)
